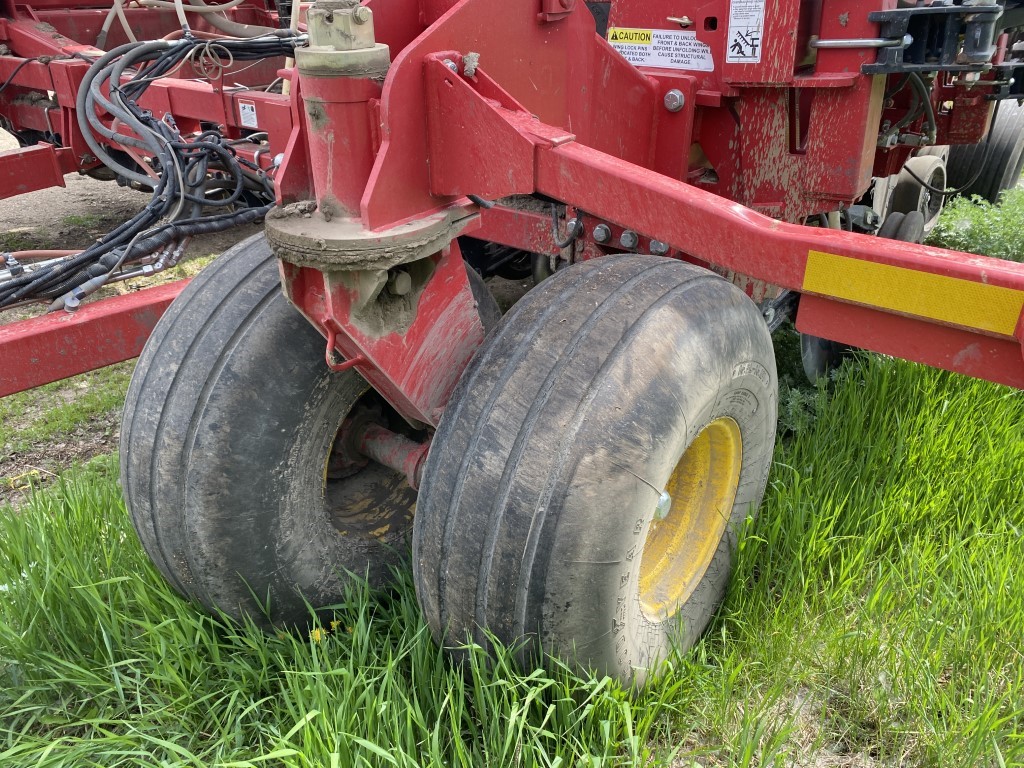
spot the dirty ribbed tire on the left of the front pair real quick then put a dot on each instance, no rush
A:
(229, 422)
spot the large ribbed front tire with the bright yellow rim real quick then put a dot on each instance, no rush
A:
(542, 516)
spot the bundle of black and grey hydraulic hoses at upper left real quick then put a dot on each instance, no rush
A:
(199, 184)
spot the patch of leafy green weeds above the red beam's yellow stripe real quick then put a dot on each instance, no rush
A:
(977, 227)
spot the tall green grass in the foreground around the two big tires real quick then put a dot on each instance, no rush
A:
(876, 616)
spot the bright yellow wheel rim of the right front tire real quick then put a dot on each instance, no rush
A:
(684, 539)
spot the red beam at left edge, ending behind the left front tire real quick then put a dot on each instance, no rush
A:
(55, 347)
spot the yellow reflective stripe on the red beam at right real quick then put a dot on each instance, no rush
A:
(960, 303)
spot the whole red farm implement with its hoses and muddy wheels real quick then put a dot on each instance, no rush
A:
(679, 177)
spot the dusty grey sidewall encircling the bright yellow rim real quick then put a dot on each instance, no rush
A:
(730, 377)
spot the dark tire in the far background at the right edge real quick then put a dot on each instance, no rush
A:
(996, 166)
